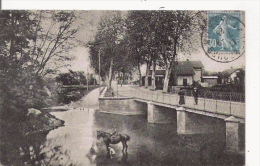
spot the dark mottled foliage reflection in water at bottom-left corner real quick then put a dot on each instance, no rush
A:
(32, 150)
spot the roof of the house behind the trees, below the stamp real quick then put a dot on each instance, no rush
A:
(187, 67)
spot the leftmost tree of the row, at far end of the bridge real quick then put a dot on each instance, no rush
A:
(108, 37)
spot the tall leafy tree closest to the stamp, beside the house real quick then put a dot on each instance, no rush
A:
(180, 33)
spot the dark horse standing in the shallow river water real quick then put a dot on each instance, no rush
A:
(115, 139)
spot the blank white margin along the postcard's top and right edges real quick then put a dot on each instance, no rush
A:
(252, 43)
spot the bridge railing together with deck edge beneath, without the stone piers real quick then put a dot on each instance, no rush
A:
(210, 107)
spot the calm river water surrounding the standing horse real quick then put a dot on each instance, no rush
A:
(151, 144)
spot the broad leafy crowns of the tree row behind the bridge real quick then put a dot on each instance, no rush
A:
(160, 37)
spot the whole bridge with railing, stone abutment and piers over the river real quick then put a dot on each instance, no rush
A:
(208, 115)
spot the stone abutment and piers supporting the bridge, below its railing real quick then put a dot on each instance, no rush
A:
(187, 121)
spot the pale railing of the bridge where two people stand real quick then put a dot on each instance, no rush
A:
(229, 108)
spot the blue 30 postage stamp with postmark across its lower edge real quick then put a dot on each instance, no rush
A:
(224, 39)
